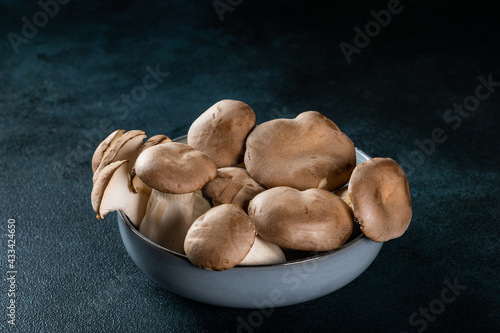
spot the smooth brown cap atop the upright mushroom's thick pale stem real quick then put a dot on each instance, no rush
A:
(175, 168)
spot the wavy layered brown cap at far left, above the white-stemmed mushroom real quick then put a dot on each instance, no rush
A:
(123, 146)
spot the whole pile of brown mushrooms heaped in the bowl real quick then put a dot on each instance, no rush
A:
(241, 194)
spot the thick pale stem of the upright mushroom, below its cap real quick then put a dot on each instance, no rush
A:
(169, 217)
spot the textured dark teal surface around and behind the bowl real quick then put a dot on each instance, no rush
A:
(73, 272)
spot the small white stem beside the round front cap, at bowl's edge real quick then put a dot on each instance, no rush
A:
(263, 253)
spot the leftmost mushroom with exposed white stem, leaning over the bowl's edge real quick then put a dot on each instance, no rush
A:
(112, 192)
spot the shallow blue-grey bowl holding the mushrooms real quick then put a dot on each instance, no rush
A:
(261, 286)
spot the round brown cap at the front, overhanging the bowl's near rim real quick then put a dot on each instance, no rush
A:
(220, 239)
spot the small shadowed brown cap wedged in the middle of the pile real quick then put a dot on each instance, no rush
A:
(232, 185)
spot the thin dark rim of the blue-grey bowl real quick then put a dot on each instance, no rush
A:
(360, 238)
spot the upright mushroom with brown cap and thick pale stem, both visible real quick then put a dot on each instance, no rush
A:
(175, 172)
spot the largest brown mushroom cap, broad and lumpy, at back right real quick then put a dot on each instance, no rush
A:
(306, 152)
